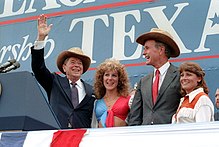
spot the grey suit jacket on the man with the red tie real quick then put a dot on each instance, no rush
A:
(143, 112)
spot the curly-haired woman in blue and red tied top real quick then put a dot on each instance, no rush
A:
(111, 88)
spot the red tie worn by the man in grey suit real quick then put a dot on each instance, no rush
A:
(155, 86)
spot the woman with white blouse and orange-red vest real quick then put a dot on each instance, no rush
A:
(195, 106)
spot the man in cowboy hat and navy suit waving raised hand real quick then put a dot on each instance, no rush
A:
(73, 108)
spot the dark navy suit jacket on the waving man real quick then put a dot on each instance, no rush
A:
(58, 91)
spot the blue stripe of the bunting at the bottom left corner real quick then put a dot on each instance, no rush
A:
(13, 139)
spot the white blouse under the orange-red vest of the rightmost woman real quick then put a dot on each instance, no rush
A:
(203, 110)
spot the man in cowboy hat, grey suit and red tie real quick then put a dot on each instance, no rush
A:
(158, 94)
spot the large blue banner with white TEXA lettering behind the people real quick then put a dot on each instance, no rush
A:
(108, 29)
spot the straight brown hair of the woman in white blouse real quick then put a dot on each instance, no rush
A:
(196, 69)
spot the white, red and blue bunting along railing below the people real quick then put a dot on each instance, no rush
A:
(168, 135)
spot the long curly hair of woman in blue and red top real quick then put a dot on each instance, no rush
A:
(123, 86)
